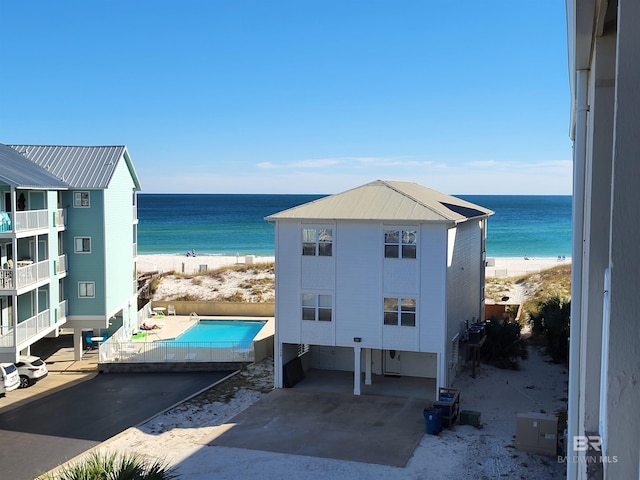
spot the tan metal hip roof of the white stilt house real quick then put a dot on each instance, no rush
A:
(387, 201)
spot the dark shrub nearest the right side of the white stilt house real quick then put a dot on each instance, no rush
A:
(504, 346)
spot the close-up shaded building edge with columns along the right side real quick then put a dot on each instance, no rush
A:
(604, 391)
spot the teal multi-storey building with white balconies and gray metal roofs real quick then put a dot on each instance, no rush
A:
(67, 243)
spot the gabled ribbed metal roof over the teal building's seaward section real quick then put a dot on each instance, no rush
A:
(80, 167)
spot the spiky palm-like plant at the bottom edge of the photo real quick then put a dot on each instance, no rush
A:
(98, 466)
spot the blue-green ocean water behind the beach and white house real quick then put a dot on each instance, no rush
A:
(223, 224)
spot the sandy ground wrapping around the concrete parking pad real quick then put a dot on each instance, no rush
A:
(180, 435)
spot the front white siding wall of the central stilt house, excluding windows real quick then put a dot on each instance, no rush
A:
(359, 278)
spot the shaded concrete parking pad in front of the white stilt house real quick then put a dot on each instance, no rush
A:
(365, 428)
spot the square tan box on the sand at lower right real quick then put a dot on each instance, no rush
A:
(537, 433)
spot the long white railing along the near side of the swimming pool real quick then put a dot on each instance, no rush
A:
(175, 352)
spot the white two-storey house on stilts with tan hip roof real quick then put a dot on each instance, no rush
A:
(378, 280)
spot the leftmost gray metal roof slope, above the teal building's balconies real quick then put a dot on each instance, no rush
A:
(20, 172)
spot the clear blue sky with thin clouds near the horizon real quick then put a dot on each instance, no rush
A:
(304, 96)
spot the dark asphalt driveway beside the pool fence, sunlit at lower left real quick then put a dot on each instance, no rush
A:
(49, 431)
